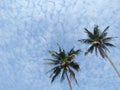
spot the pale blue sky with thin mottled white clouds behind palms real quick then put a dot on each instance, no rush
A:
(28, 28)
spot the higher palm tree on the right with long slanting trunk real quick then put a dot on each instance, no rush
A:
(99, 41)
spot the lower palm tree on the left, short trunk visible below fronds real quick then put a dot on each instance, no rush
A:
(63, 65)
